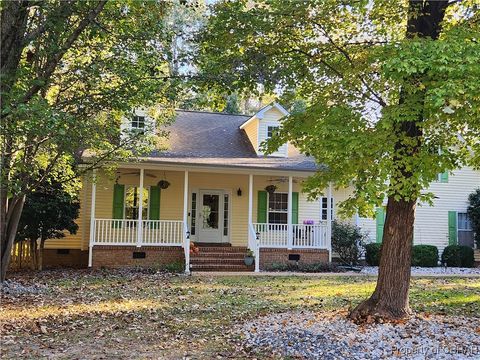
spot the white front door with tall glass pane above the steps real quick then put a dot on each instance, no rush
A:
(210, 216)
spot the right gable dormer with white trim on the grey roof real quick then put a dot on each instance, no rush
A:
(262, 125)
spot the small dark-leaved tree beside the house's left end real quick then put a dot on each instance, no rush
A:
(47, 214)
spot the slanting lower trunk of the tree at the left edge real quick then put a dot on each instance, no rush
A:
(12, 218)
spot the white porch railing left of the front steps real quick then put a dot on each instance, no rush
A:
(125, 232)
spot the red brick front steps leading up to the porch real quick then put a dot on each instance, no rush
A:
(219, 258)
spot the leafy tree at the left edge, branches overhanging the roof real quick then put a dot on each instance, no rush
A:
(70, 72)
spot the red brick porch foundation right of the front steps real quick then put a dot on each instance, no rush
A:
(269, 256)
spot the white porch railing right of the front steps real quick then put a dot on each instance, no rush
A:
(302, 236)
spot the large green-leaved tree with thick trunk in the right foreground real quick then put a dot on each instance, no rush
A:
(393, 99)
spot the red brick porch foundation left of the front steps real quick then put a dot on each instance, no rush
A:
(122, 256)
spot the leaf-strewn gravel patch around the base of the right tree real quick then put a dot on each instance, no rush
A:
(308, 335)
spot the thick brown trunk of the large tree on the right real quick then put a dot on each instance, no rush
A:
(390, 298)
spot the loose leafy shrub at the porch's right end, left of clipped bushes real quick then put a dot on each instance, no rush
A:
(348, 242)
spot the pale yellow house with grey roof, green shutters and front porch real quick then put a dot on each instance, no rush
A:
(214, 188)
